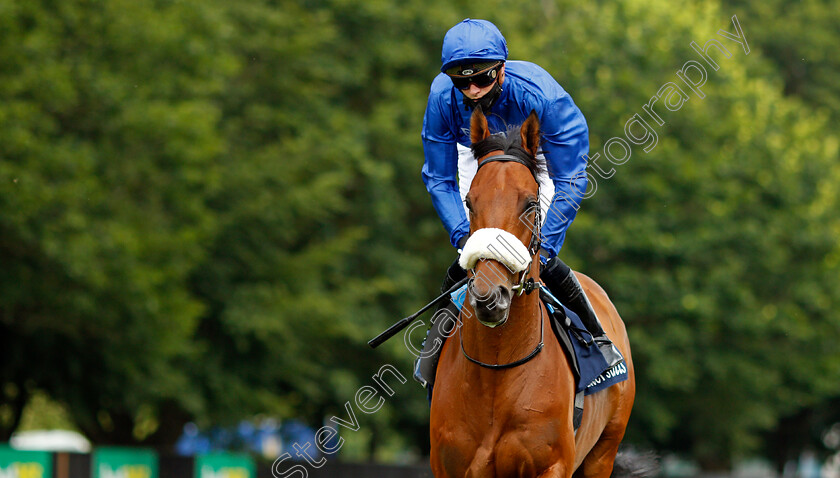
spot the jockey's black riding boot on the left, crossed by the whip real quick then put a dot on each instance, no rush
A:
(426, 364)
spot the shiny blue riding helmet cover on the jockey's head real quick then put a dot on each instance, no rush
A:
(472, 40)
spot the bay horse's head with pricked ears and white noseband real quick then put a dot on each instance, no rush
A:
(504, 216)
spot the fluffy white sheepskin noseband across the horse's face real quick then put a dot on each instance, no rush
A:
(495, 244)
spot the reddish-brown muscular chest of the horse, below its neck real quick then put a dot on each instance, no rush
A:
(514, 423)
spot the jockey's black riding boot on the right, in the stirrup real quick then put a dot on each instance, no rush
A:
(563, 283)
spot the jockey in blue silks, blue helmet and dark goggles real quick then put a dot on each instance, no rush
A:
(475, 73)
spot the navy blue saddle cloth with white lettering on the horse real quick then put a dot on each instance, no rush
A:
(595, 374)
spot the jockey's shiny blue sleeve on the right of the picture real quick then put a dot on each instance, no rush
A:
(565, 145)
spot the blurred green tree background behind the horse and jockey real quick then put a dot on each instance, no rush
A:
(208, 207)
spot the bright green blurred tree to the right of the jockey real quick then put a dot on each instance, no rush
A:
(718, 245)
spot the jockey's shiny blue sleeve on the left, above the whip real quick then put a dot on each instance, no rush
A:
(440, 169)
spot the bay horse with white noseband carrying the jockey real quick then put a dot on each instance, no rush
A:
(502, 404)
